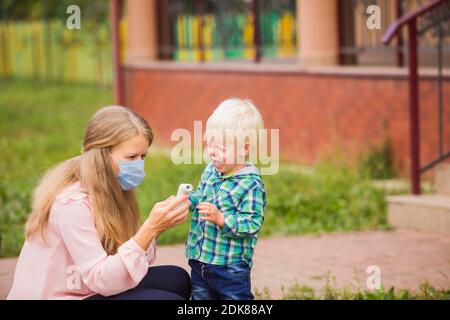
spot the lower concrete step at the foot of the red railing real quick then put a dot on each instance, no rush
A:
(424, 212)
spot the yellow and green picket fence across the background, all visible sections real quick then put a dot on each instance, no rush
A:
(47, 50)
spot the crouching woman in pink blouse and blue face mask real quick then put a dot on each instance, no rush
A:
(83, 238)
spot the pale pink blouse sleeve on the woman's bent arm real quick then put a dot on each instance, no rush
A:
(102, 273)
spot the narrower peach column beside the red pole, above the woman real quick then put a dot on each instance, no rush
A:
(142, 37)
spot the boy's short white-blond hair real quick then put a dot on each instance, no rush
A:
(234, 117)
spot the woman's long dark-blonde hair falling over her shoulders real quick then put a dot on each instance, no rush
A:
(115, 211)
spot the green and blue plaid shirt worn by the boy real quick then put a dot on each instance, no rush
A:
(241, 197)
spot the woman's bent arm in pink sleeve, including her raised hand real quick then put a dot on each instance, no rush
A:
(111, 274)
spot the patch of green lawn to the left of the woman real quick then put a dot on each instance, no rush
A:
(40, 125)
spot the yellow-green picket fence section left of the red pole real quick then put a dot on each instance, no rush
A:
(47, 50)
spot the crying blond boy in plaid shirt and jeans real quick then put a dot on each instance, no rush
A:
(227, 207)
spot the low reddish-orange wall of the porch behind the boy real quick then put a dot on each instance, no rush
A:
(317, 114)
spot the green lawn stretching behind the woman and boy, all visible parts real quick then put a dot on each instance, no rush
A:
(41, 125)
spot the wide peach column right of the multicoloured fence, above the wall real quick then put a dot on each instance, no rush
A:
(317, 27)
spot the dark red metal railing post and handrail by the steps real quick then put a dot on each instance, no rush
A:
(410, 20)
